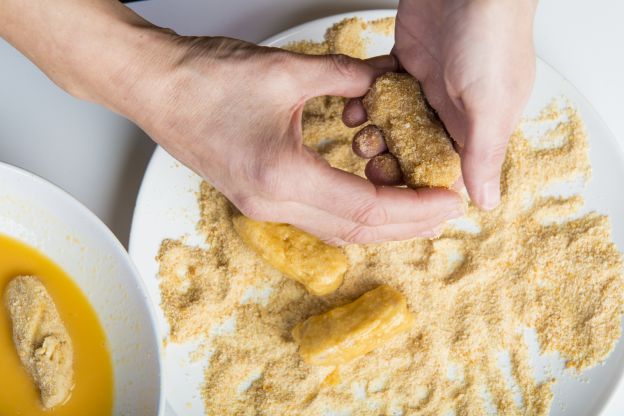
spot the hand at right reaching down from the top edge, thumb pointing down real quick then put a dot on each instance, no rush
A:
(476, 63)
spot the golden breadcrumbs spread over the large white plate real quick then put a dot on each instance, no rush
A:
(533, 262)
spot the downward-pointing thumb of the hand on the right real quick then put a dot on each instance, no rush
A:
(482, 157)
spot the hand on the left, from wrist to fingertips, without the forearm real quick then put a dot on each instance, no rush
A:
(231, 111)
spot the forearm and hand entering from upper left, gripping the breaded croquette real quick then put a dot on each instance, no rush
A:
(229, 110)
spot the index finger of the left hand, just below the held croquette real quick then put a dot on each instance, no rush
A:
(353, 198)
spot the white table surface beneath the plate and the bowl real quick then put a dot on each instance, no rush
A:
(100, 157)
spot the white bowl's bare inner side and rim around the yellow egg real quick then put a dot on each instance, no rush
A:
(42, 215)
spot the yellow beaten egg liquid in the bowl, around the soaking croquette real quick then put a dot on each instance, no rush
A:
(93, 373)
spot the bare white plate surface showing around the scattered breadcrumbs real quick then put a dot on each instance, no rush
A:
(167, 208)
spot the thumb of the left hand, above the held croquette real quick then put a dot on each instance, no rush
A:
(341, 75)
